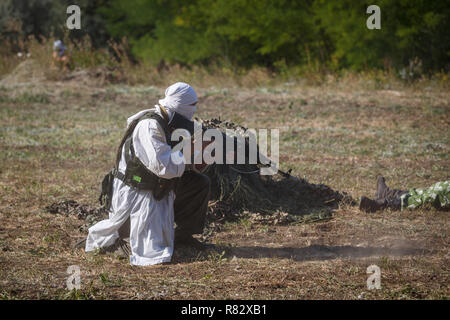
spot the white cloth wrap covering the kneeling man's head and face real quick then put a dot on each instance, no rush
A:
(180, 98)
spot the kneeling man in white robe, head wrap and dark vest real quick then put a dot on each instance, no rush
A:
(150, 191)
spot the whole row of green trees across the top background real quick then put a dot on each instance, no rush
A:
(270, 33)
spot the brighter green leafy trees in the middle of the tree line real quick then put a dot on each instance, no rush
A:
(241, 32)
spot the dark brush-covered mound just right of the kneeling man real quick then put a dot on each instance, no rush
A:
(235, 192)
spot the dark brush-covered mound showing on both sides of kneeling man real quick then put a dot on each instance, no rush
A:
(273, 199)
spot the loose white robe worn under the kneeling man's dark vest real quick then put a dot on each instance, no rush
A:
(151, 221)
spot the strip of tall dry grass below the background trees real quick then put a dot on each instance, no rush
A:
(121, 68)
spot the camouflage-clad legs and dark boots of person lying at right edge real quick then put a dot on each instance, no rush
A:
(437, 195)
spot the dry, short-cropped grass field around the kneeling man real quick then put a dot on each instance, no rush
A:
(58, 139)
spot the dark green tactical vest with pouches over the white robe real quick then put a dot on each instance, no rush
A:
(137, 175)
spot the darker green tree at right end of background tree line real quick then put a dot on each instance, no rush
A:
(409, 29)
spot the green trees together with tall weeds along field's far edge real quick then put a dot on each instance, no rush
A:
(263, 39)
